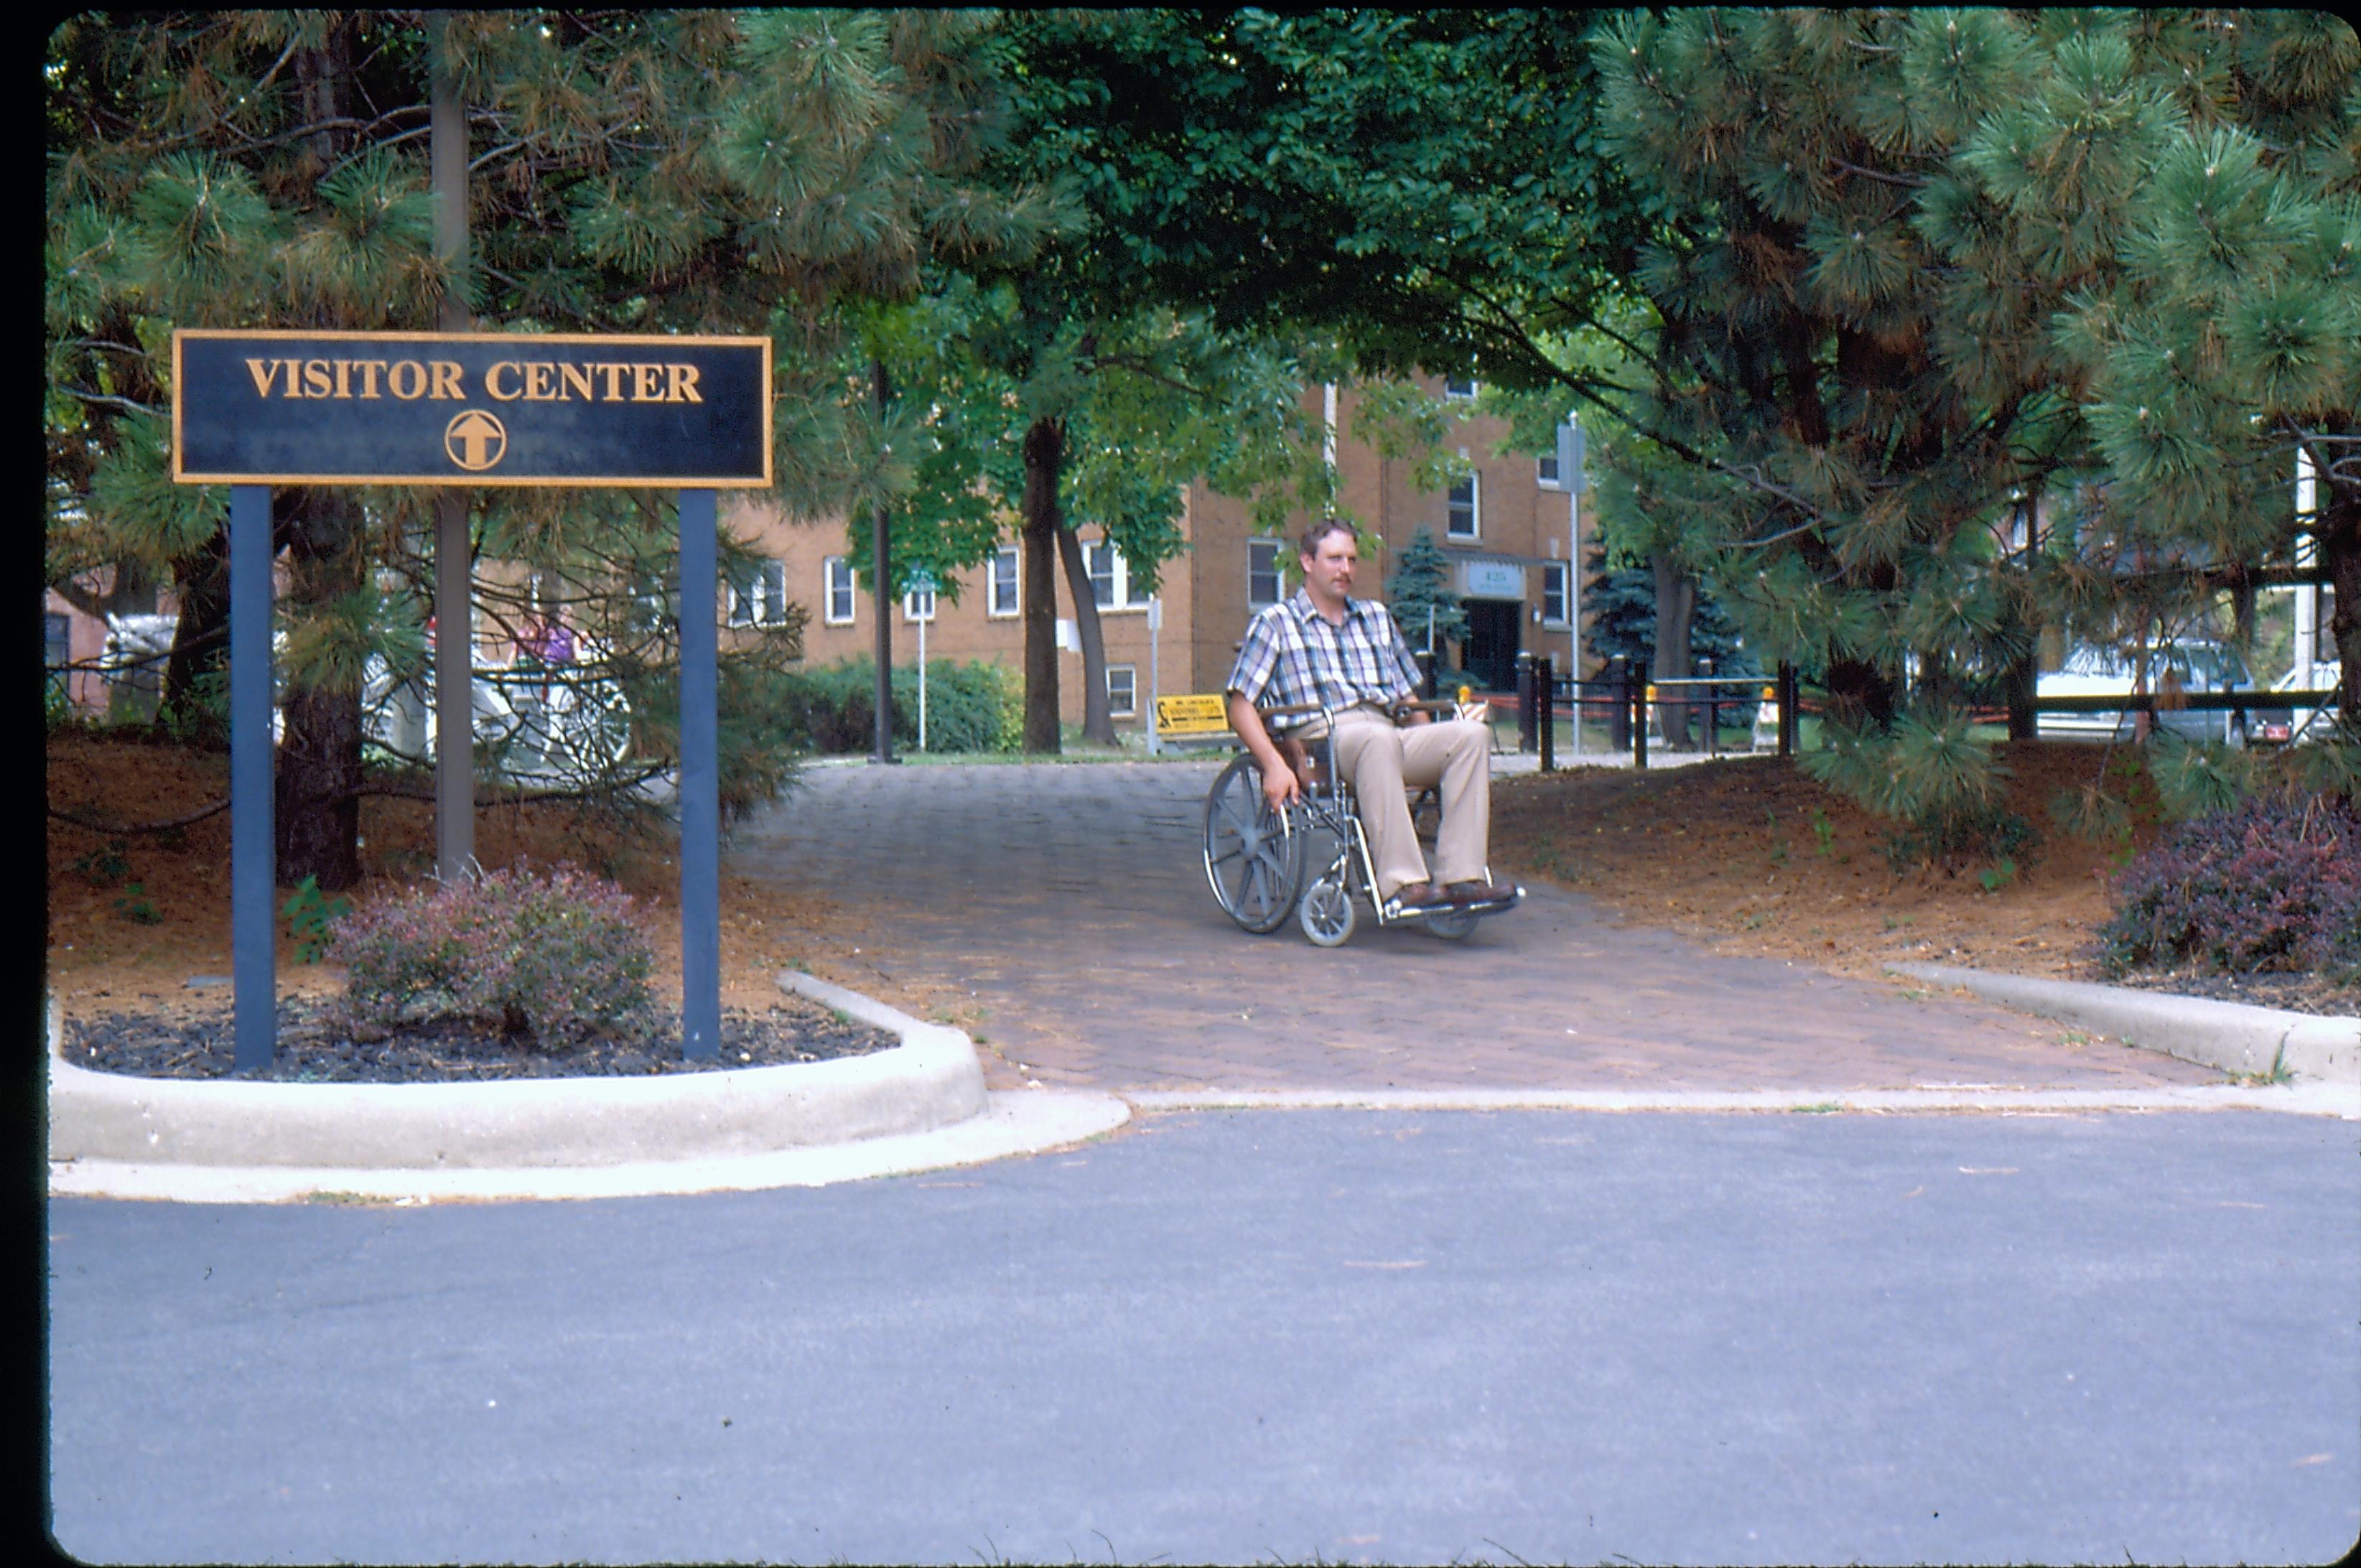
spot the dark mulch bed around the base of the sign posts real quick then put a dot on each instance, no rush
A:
(313, 1050)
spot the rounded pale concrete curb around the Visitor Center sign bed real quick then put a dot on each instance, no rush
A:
(905, 1109)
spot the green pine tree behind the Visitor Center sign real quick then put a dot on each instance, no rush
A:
(639, 171)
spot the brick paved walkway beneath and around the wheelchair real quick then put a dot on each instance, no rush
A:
(1071, 901)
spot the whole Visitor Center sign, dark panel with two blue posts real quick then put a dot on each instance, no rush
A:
(261, 410)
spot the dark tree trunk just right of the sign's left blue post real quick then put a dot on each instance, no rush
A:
(315, 804)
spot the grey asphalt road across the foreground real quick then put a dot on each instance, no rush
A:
(1267, 1338)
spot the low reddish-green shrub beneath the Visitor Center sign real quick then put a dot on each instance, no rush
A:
(547, 955)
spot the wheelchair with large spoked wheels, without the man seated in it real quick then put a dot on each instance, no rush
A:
(1264, 863)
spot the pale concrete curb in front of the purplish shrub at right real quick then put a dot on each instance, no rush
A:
(2228, 1035)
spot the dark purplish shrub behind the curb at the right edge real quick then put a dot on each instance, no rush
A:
(2270, 884)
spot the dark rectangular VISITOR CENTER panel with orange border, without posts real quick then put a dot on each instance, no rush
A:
(277, 407)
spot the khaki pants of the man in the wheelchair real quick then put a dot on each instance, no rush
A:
(1380, 759)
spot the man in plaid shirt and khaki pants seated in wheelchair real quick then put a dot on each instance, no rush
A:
(1326, 648)
